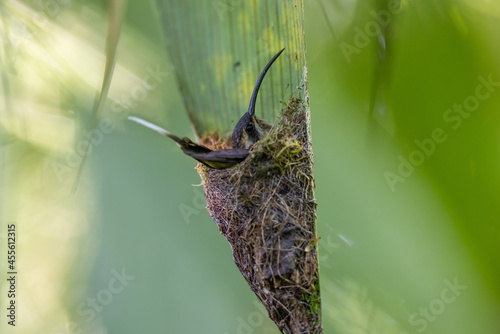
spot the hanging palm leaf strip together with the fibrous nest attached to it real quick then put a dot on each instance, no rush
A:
(218, 51)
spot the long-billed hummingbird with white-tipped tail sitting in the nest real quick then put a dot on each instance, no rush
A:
(247, 132)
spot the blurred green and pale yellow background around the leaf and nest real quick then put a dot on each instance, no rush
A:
(407, 184)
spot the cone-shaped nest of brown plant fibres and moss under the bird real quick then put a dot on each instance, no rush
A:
(265, 208)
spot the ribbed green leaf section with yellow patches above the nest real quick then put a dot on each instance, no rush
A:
(218, 50)
